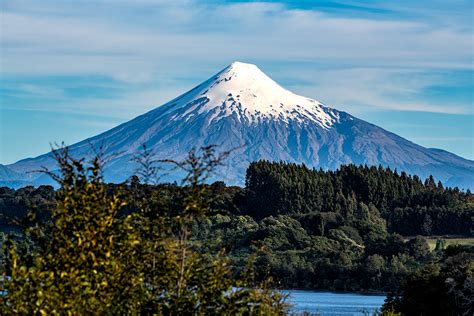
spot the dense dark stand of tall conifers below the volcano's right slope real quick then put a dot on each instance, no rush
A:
(408, 205)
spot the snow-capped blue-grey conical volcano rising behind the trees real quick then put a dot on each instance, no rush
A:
(241, 107)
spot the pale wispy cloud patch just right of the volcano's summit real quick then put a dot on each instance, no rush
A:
(358, 90)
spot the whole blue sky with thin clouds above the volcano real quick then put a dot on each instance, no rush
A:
(72, 69)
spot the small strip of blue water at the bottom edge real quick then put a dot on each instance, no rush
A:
(327, 303)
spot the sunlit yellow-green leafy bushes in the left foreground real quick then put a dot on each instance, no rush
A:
(92, 257)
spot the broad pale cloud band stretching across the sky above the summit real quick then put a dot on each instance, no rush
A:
(84, 42)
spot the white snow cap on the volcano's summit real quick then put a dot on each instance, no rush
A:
(243, 90)
